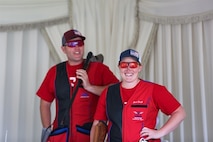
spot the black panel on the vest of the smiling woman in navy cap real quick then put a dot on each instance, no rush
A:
(114, 112)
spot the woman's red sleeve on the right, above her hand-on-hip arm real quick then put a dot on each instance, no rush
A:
(165, 101)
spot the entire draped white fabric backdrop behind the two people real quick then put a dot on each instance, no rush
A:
(173, 37)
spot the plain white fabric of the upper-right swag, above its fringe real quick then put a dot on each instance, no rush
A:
(175, 8)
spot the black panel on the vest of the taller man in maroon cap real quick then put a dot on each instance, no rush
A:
(62, 89)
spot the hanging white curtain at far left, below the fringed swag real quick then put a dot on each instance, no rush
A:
(23, 66)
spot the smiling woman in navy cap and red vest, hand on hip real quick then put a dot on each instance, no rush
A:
(132, 105)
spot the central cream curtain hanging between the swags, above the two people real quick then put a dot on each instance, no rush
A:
(108, 25)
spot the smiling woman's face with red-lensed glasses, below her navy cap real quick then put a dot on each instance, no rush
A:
(129, 70)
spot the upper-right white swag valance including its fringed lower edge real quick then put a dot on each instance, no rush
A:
(176, 12)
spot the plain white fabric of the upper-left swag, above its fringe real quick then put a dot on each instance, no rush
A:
(21, 12)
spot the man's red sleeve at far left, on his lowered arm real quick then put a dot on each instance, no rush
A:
(46, 90)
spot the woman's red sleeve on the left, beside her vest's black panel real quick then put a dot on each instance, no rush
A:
(100, 113)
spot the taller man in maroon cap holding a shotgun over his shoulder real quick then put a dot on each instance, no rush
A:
(60, 83)
